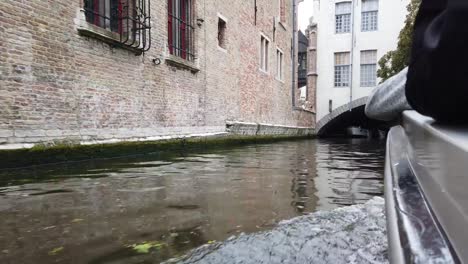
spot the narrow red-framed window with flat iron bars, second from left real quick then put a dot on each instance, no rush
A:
(180, 29)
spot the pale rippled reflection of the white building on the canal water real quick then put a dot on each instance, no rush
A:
(349, 171)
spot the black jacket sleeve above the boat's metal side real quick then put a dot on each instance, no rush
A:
(437, 83)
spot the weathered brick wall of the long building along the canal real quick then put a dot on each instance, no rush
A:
(56, 84)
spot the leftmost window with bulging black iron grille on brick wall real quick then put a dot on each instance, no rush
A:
(130, 19)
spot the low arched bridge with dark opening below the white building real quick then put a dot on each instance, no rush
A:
(336, 123)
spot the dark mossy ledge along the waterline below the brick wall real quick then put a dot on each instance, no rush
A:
(42, 155)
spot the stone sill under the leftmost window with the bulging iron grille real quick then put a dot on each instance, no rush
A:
(87, 29)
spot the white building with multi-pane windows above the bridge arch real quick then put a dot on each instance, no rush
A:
(352, 36)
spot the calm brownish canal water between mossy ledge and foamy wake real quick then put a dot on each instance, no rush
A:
(148, 209)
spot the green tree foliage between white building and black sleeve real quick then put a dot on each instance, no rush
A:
(395, 61)
